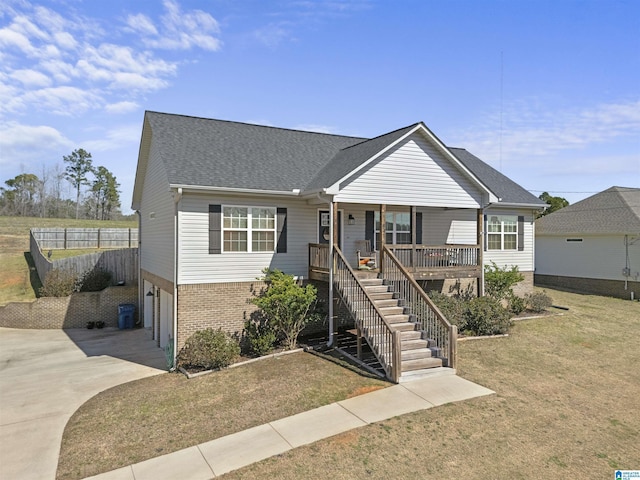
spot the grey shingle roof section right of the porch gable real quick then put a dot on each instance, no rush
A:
(502, 186)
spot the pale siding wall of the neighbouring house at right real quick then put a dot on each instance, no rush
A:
(597, 256)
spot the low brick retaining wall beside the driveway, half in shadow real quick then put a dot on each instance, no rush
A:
(69, 312)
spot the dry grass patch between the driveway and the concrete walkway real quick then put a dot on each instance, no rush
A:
(157, 415)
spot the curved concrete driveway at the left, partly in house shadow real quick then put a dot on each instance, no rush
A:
(45, 375)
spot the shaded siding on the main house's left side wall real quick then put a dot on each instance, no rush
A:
(157, 221)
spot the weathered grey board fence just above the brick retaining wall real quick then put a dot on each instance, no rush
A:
(122, 263)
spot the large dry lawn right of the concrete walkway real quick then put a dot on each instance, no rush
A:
(564, 409)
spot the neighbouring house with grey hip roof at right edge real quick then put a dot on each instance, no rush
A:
(592, 246)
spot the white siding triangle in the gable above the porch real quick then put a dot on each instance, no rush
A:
(413, 173)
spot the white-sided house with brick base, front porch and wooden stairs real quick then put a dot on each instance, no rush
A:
(219, 201)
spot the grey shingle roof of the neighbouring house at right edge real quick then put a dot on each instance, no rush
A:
(615, 210)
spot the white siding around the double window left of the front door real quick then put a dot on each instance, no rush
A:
(197, 265)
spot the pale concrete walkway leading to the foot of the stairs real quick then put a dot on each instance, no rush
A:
(225, 454)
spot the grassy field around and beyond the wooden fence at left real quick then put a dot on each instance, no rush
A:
(18, 283)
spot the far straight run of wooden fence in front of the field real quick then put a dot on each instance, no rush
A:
(70, 238)
